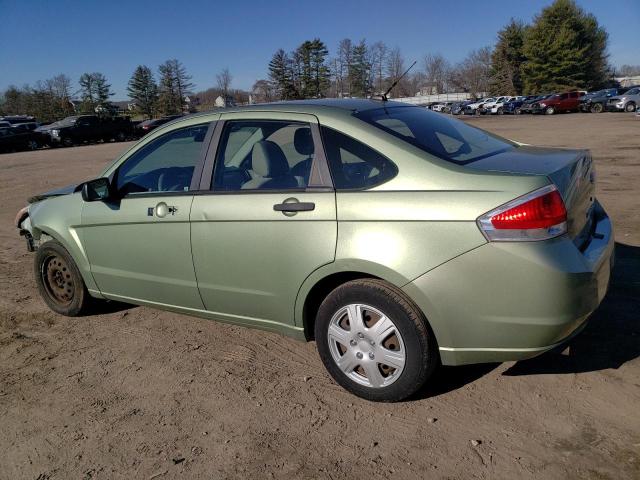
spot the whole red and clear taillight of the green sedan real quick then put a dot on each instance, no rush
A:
(539, 215)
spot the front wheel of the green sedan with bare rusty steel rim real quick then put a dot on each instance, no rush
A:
(59, 281)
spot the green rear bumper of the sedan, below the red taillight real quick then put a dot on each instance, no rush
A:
(512, 301)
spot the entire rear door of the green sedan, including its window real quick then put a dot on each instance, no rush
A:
(267, 220)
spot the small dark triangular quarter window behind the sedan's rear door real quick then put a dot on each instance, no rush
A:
(353, 164)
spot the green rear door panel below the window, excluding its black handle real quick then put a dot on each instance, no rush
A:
(251, 260)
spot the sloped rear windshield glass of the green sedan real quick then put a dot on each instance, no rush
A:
(444, 137)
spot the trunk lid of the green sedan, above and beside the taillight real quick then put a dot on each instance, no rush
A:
(571, 171)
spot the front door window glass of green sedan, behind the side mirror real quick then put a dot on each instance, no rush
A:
(165, 164)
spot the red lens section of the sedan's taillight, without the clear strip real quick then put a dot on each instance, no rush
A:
(541, 212)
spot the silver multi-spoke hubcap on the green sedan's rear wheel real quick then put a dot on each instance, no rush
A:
(366, 345)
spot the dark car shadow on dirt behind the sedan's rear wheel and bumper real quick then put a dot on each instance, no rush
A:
(610, 339)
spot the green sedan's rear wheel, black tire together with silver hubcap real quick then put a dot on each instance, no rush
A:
(374, 341)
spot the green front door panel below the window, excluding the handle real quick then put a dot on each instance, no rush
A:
(142, 256)
